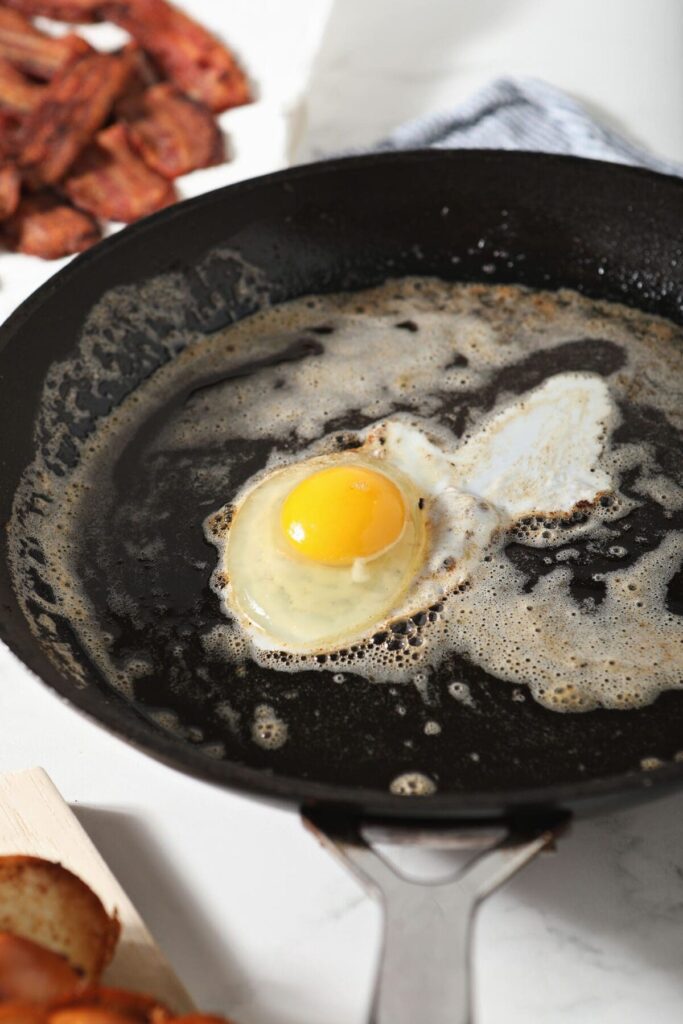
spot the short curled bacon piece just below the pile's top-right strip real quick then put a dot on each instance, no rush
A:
(173, 134)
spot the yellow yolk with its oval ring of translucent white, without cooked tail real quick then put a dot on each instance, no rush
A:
(321, 550)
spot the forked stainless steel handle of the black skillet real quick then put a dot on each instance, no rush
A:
(425, 969)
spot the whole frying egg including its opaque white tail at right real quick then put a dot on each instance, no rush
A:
(332, 548)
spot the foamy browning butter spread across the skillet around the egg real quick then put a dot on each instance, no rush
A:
(477, 350)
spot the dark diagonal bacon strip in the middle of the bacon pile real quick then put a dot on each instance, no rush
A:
(76, 104)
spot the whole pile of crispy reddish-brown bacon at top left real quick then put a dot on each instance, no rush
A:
(103, 136)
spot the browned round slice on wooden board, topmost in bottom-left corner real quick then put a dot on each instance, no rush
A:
(48, 905)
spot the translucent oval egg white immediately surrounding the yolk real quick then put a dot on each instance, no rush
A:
(289, 603)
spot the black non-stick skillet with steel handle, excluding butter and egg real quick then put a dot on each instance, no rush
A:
(610, 232)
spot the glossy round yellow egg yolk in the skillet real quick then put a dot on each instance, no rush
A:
(344, 514)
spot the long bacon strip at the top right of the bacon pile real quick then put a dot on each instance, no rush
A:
(186, 52)
